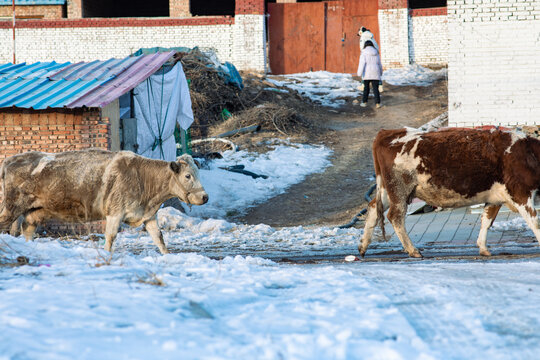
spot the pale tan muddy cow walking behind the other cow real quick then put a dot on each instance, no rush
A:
(89, 185)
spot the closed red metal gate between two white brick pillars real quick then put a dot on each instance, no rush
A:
(318, 35)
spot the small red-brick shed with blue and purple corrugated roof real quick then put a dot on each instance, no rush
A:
(54, 107)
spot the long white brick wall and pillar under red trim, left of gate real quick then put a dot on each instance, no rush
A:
(241, 43)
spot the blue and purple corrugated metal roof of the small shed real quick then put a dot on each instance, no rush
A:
(93, 84)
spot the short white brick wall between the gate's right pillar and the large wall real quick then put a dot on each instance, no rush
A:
(428, 40)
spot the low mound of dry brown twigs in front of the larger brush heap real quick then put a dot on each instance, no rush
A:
(269, 116)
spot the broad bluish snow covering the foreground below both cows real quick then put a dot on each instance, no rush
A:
(72, 301)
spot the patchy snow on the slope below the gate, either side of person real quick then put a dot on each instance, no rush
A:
(331, 89)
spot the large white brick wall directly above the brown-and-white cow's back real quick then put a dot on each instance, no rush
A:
(494, 62)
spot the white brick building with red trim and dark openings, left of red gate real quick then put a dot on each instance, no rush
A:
(85, 30)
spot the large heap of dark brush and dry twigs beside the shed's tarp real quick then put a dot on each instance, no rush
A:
(256, 103)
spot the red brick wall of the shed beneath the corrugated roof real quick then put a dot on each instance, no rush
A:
(51, 131)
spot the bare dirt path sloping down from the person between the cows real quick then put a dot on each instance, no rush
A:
(336, 195)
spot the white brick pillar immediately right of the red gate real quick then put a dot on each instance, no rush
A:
(394, 35)
